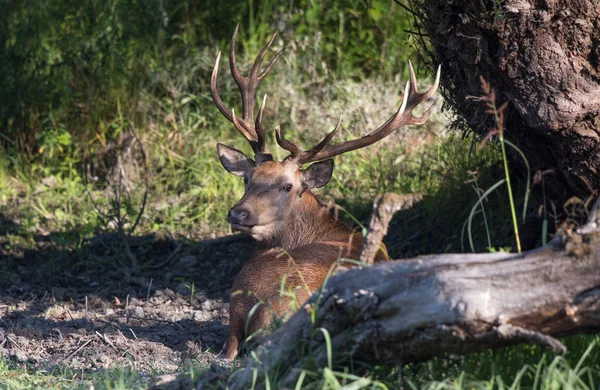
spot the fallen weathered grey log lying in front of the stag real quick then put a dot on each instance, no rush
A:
(412, 310)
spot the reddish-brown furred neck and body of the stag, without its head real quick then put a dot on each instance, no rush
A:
(307, 247)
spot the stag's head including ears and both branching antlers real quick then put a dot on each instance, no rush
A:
(274, 190)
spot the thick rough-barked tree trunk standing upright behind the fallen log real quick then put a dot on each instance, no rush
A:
(541, 56)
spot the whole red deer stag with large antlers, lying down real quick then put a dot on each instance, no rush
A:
(279, 209)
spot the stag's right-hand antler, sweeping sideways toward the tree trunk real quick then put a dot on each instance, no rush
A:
(412, 98)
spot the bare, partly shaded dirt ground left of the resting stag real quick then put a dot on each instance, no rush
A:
(87, 307)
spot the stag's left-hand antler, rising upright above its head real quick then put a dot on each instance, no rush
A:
(251, 129)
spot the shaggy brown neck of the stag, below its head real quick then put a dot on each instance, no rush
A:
(311, 222)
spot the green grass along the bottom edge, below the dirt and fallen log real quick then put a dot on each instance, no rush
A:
(520, 367)
